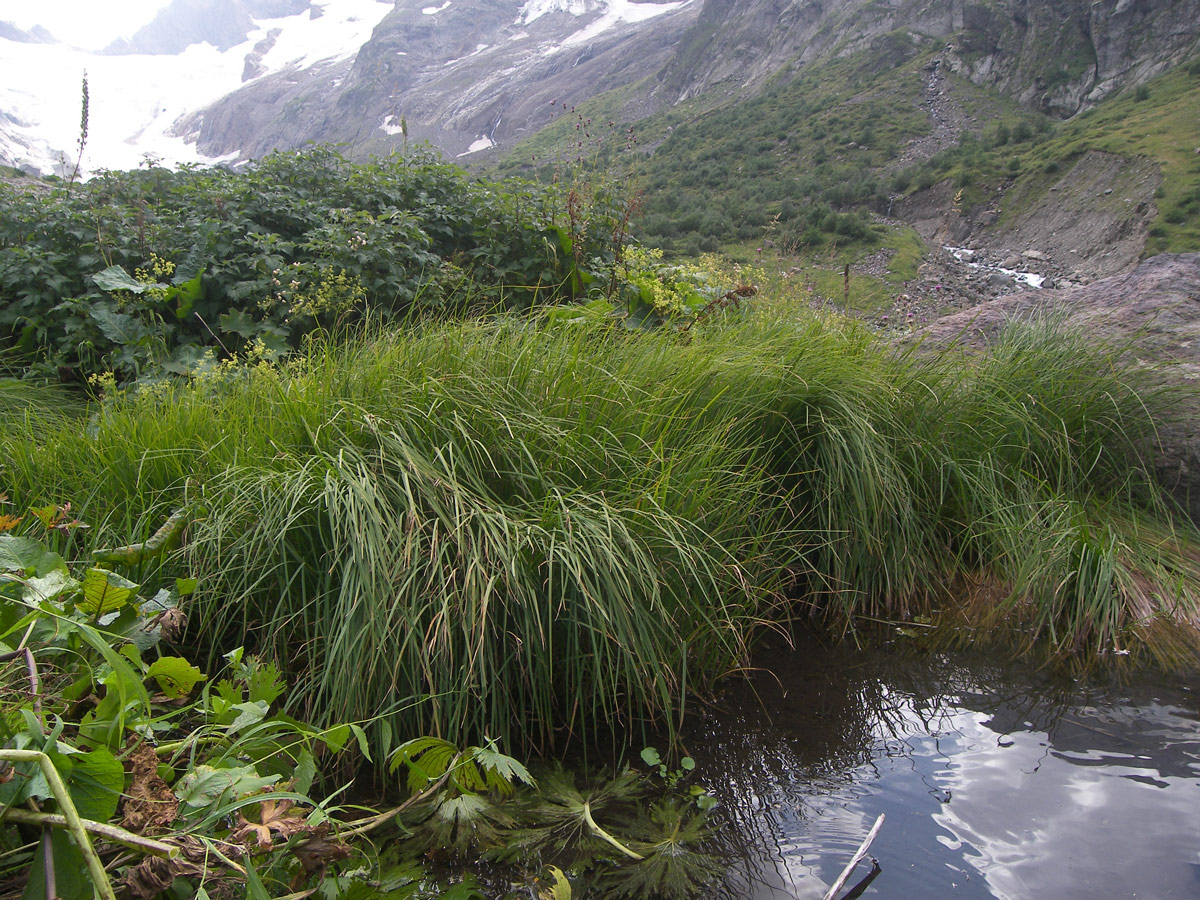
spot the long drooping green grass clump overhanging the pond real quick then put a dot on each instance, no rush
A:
(547, 532)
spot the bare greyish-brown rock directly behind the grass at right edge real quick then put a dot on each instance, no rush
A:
(1155, 309)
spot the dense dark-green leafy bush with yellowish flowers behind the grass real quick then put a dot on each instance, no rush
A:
(223, 262)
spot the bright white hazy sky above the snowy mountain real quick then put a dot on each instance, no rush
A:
(89, 25)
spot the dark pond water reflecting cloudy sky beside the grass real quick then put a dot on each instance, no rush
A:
(997, 782)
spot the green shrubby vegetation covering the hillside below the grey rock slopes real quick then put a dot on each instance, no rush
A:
(815, 163)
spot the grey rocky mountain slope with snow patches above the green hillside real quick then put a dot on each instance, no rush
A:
(476, 74)
